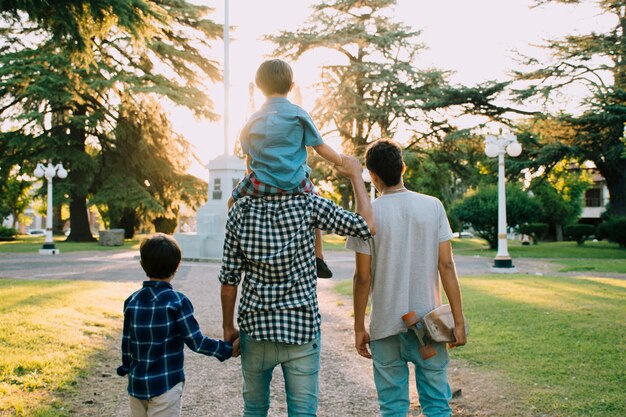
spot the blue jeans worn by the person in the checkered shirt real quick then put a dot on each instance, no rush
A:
(300, 364)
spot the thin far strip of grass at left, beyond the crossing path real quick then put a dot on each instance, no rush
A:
(32, 244)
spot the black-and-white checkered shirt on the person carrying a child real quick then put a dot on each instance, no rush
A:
(270, 243)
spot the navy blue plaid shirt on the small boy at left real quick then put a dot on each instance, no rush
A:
(157, 320)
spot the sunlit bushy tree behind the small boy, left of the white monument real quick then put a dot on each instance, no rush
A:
(144, 177)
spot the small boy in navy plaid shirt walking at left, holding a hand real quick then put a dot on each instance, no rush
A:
(158, 321)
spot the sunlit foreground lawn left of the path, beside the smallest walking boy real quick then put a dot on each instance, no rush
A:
(49, 332)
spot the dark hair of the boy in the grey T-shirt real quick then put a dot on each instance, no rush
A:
(384, 158)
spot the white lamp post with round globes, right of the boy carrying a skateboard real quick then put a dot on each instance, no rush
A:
(498, 146)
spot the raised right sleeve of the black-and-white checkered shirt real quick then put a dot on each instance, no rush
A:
(332, 218)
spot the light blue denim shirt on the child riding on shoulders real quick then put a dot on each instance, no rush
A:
(276, 138)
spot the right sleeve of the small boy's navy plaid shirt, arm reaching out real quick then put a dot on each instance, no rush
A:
(194, 338)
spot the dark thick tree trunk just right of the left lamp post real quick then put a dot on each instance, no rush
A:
(79, 179)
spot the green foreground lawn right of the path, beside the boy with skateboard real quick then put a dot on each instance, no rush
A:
(561, 341)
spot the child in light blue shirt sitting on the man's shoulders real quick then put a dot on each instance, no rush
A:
(275, 141)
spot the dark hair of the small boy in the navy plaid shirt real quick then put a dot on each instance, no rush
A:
(160, 256)
